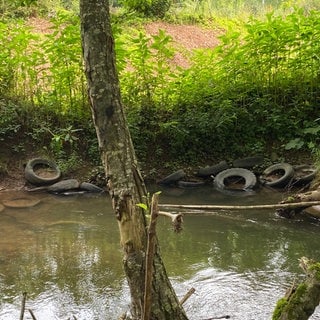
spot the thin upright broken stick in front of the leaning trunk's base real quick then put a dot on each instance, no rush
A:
(149, 258)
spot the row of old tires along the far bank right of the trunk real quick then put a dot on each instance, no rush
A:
(244, 176)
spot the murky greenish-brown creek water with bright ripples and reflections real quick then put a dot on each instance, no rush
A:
(64, 252)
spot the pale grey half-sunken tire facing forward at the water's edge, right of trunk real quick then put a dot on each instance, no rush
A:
(235, 179)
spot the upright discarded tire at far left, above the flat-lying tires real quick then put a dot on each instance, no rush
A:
(41, 172)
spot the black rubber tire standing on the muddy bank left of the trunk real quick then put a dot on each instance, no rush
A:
(32, 177)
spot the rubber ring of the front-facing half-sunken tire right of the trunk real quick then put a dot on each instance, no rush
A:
(248, 176)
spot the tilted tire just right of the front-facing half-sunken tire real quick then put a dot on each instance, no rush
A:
(286, 172)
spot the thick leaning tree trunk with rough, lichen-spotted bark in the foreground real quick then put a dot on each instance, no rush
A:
(125, 183)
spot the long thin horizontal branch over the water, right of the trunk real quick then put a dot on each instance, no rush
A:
(291, 205)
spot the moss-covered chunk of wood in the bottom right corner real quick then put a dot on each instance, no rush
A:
(300, 301)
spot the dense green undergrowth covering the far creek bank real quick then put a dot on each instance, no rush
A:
(257, 92)
